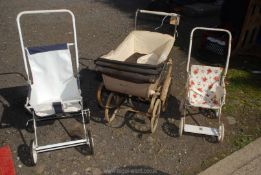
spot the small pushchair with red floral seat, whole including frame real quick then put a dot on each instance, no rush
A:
(205, 88)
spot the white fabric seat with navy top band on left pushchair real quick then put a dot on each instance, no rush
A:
(53, 80)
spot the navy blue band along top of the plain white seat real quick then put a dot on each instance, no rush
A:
(41, 49)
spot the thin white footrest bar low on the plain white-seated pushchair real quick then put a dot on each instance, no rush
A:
(62, 145)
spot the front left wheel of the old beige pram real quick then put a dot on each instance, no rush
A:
(111, 108)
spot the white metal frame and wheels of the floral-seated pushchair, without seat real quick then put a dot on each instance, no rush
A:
(217, 132)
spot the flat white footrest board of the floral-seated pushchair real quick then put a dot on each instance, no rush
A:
(201, 130)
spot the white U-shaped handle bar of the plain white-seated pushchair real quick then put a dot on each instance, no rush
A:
(46, 12)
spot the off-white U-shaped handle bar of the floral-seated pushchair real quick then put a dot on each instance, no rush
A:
(210, 29)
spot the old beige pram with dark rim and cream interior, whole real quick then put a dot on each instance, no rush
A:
(139, 67)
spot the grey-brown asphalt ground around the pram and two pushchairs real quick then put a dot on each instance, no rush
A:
(101, 26)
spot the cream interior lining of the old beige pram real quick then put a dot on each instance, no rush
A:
(156, 47)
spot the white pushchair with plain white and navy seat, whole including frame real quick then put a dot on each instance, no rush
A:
(54, 90)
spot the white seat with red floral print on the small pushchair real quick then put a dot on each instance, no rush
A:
(204, 87)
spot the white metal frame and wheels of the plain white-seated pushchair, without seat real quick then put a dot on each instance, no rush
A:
(85, 113)
